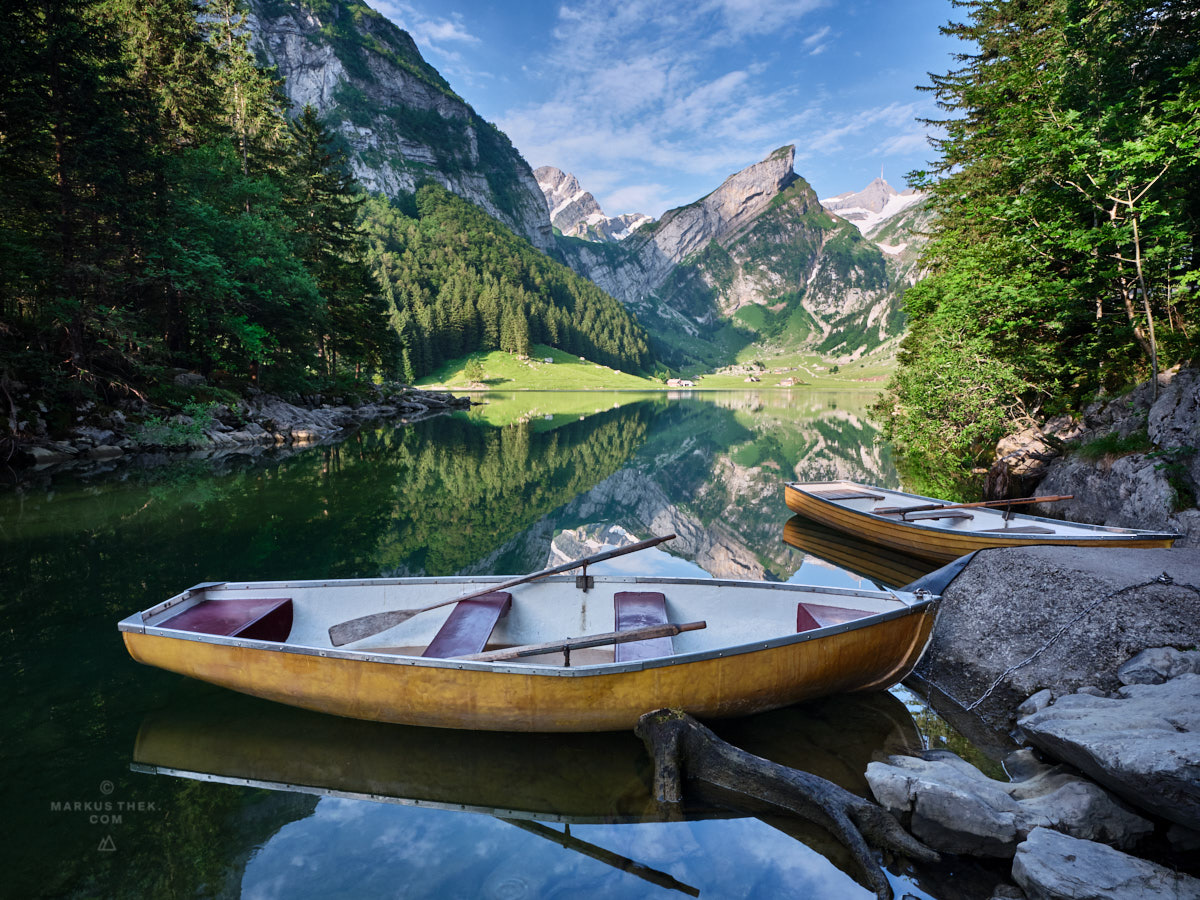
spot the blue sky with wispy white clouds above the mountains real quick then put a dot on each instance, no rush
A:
(652, 104)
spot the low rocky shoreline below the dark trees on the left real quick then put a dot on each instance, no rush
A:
(256, 422)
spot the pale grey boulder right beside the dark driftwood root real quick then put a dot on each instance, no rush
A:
(952, 807)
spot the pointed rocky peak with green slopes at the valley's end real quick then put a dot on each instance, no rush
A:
(761, 251)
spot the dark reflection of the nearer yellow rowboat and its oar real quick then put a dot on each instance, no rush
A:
(524, 779)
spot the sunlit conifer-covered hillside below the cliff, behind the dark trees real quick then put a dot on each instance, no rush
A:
(459, 281)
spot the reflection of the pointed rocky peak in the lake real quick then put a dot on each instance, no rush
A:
(712, 472)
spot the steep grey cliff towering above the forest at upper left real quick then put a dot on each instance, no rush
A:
(400, 119)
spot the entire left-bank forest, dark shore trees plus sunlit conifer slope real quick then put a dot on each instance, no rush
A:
(164, 211)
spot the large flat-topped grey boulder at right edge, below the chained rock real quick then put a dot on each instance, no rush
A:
(1144, 746)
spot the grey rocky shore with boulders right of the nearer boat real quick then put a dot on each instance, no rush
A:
(1085, 664)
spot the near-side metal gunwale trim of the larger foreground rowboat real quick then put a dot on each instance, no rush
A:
(602, 669)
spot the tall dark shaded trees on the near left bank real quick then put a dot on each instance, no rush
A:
(159, 211)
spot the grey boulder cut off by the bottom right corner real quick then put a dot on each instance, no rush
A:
(1055, 867)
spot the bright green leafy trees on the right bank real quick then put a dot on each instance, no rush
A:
(1064, 259)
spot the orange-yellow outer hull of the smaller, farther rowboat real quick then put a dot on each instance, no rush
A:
(944, 545)
